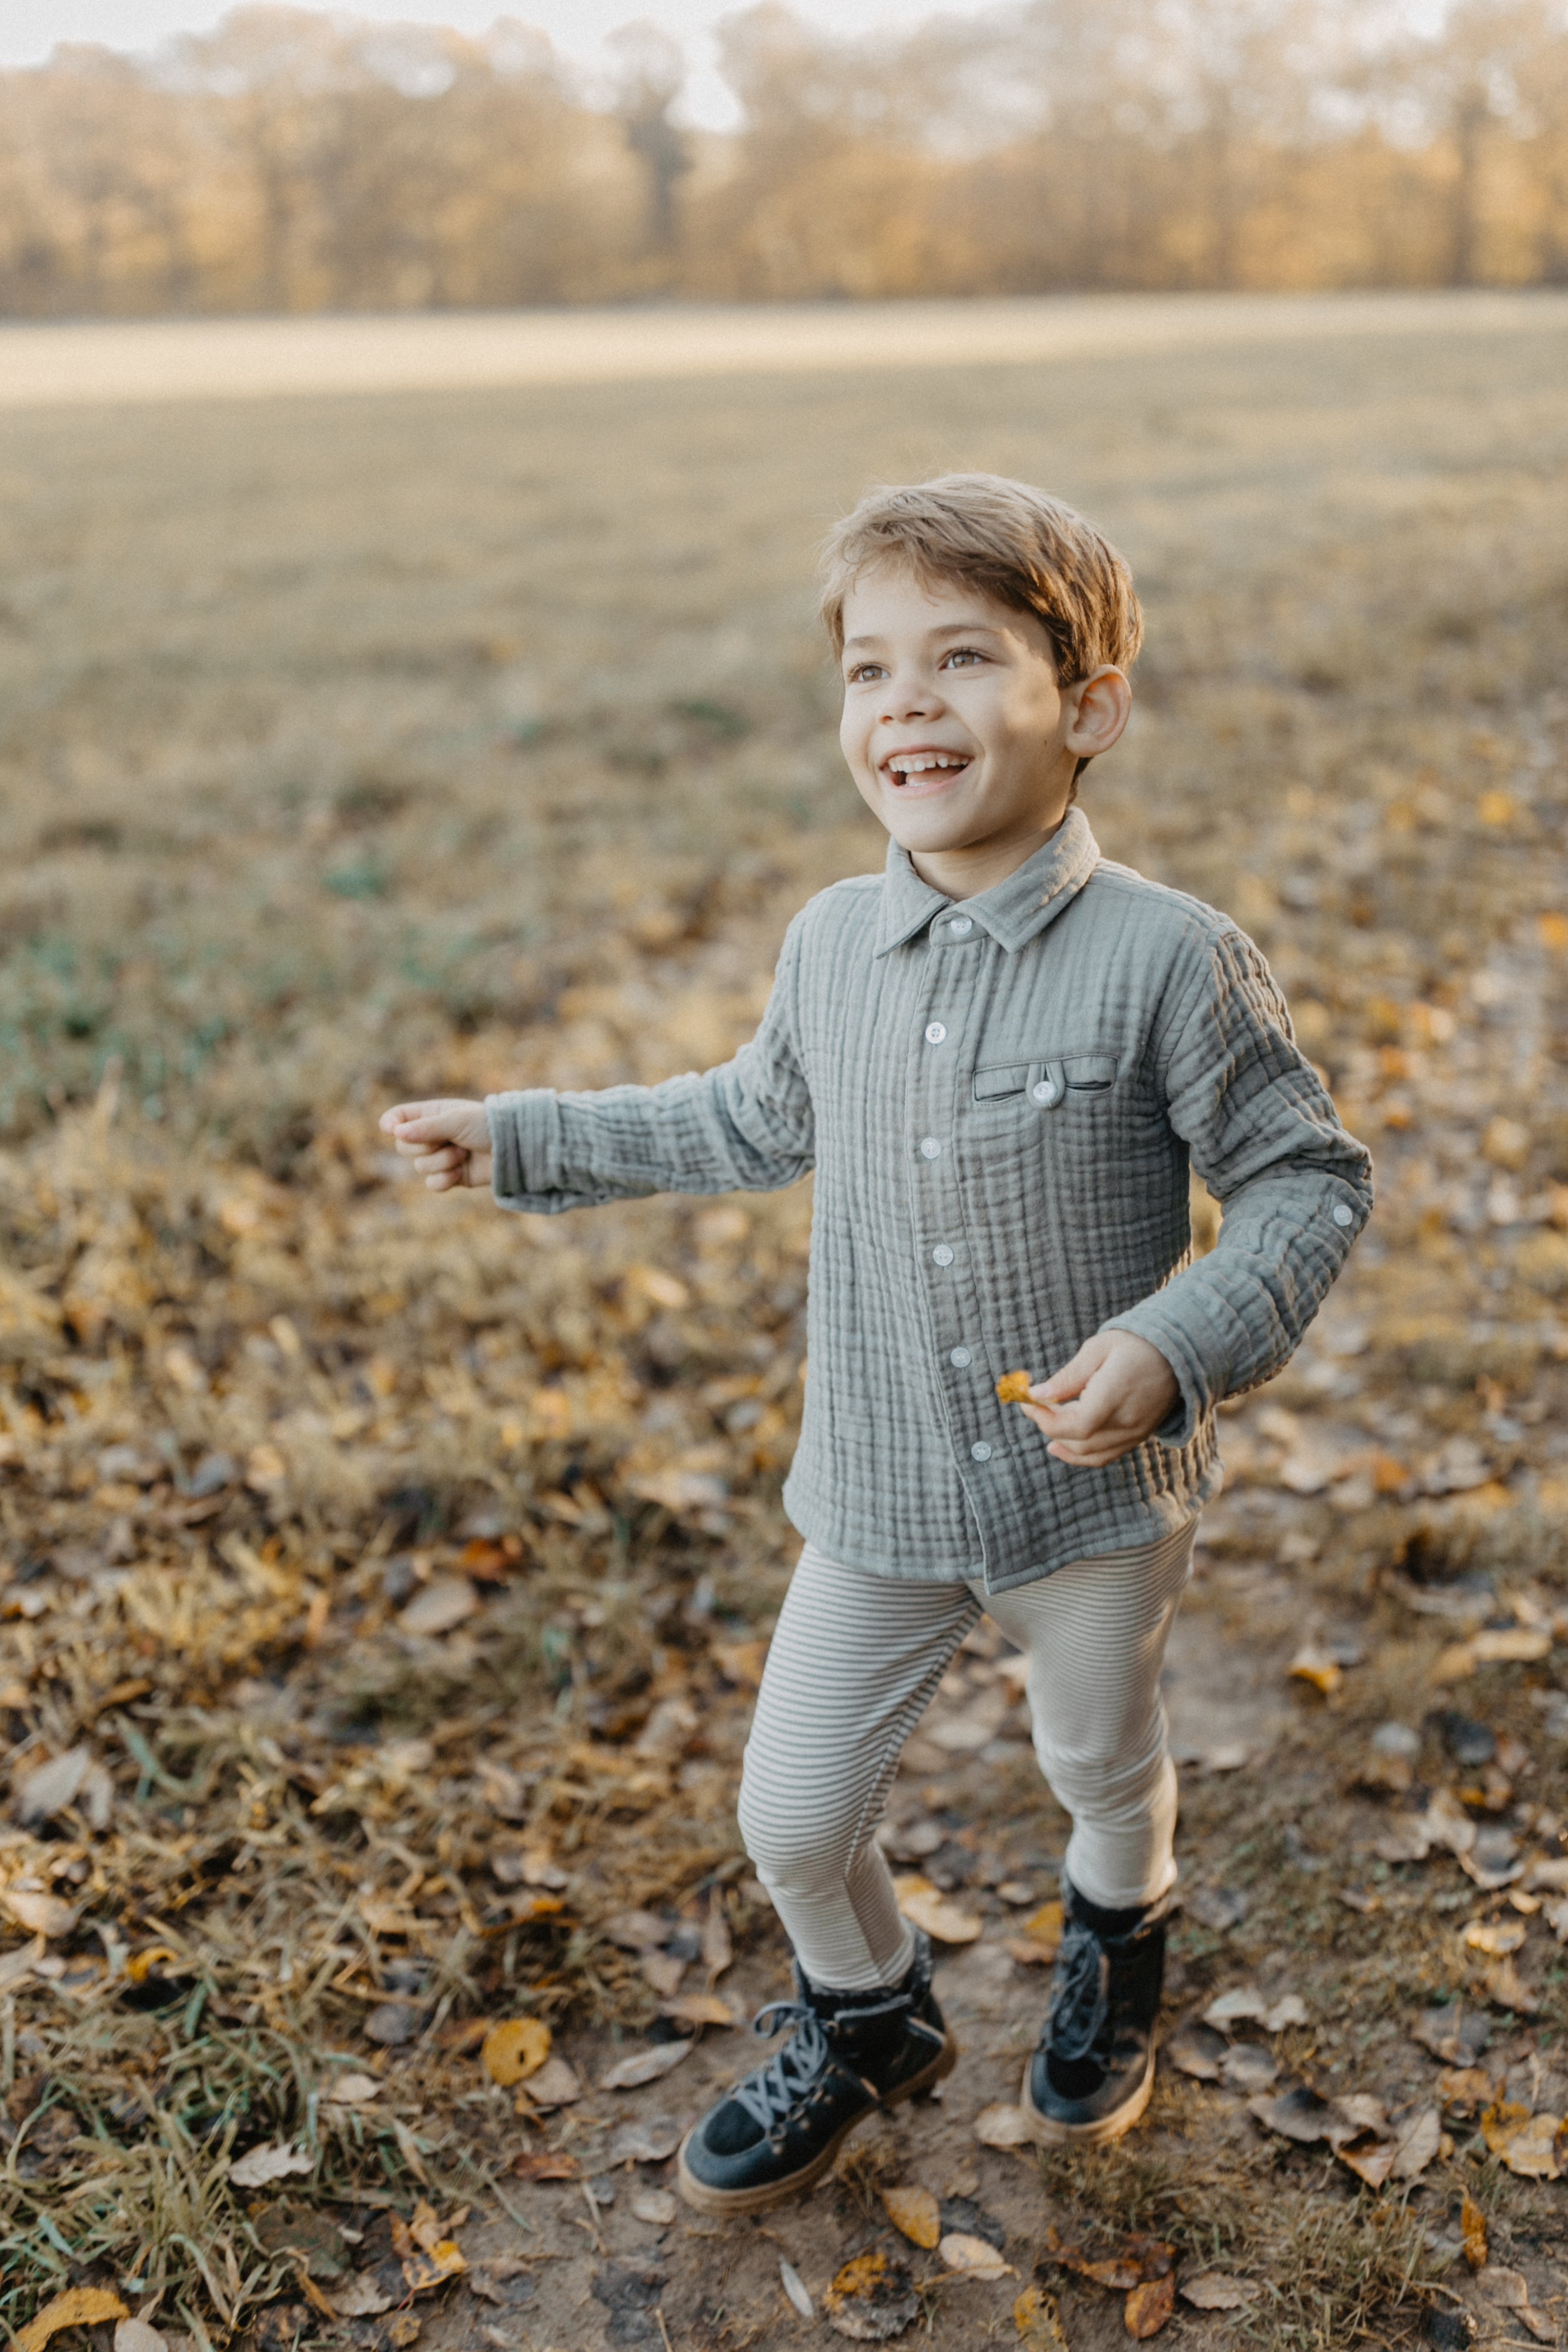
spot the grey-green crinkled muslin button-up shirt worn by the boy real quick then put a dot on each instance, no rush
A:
(1000, 1100)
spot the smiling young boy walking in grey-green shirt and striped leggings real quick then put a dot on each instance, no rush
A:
(1000, 1060)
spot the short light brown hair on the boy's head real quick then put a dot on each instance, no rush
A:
(1010, 540)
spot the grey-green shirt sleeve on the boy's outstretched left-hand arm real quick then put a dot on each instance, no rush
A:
(742, 1128)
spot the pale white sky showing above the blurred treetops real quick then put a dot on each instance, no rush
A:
(29, 29)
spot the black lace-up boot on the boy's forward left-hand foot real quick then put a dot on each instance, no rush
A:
(852, 2052)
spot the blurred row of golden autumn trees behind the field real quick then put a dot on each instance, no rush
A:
(295, 161)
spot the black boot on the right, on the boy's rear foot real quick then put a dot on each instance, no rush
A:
(1094, 2069)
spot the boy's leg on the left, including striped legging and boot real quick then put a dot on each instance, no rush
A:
(852, 1666)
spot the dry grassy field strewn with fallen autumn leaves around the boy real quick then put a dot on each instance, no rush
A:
(448, 740)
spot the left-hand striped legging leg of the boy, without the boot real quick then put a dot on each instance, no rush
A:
(850, 1673)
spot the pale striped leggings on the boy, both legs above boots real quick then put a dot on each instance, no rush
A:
(852, 1669)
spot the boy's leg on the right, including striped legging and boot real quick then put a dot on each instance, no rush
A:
(1097, 1638)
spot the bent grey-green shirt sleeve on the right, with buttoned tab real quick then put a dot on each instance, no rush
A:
(1294, 1187)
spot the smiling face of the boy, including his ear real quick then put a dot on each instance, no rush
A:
(956, 728)
